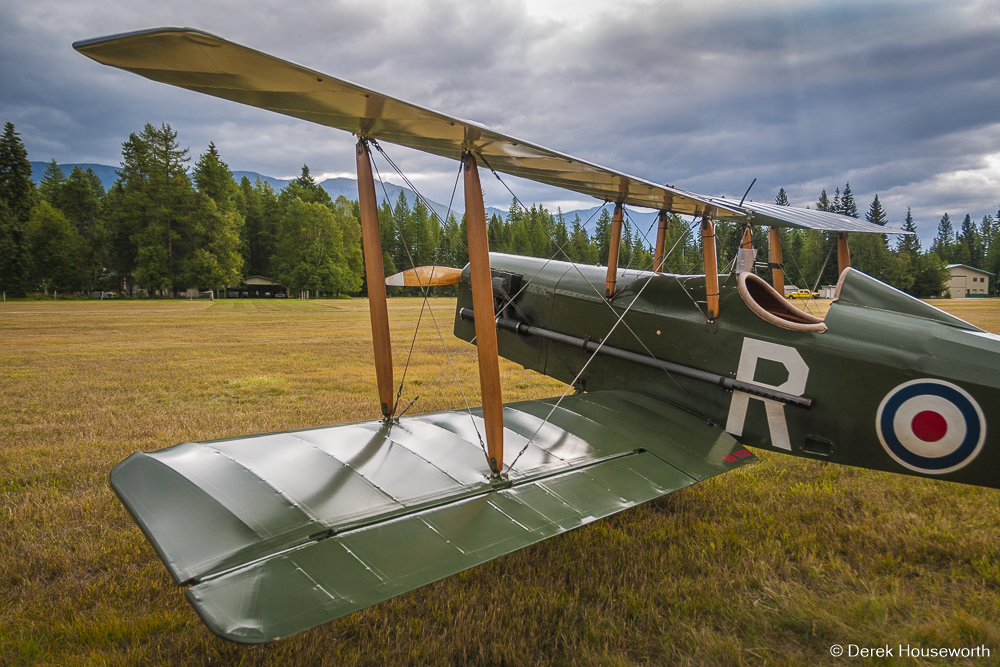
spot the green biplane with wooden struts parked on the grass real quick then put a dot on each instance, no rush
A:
(672, 377)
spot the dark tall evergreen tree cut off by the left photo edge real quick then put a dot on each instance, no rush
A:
(17, 197)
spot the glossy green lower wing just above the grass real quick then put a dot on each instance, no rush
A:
(278, 533)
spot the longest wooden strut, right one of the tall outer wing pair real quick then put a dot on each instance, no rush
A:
(482, 302)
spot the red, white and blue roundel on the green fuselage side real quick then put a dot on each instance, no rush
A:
(931, 426)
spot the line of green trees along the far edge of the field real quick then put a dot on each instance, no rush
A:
(164, 227)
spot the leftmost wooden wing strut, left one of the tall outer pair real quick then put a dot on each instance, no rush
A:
(375, 274)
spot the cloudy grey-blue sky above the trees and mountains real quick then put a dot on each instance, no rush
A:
(898, 98)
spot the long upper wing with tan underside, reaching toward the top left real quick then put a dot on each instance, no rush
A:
(208, 64)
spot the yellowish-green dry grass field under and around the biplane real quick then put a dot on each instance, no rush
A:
(771, 564)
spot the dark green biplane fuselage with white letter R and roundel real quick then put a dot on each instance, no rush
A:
(894, 383)
